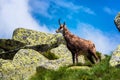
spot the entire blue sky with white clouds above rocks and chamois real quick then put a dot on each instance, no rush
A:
(89, 19)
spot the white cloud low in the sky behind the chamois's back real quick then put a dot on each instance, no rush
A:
(104, 43)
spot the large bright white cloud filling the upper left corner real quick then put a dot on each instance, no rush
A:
(14, 14)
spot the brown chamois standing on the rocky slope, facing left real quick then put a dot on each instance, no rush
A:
(77, 45)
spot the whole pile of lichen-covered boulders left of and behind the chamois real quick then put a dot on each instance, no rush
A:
(30, 50)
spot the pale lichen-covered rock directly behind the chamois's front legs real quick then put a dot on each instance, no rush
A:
(64, 58)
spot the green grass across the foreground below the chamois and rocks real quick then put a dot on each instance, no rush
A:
(100, 71)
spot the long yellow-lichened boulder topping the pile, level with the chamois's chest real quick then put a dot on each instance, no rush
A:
(31, 37)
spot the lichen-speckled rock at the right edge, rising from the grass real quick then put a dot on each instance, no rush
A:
(115, 59)
